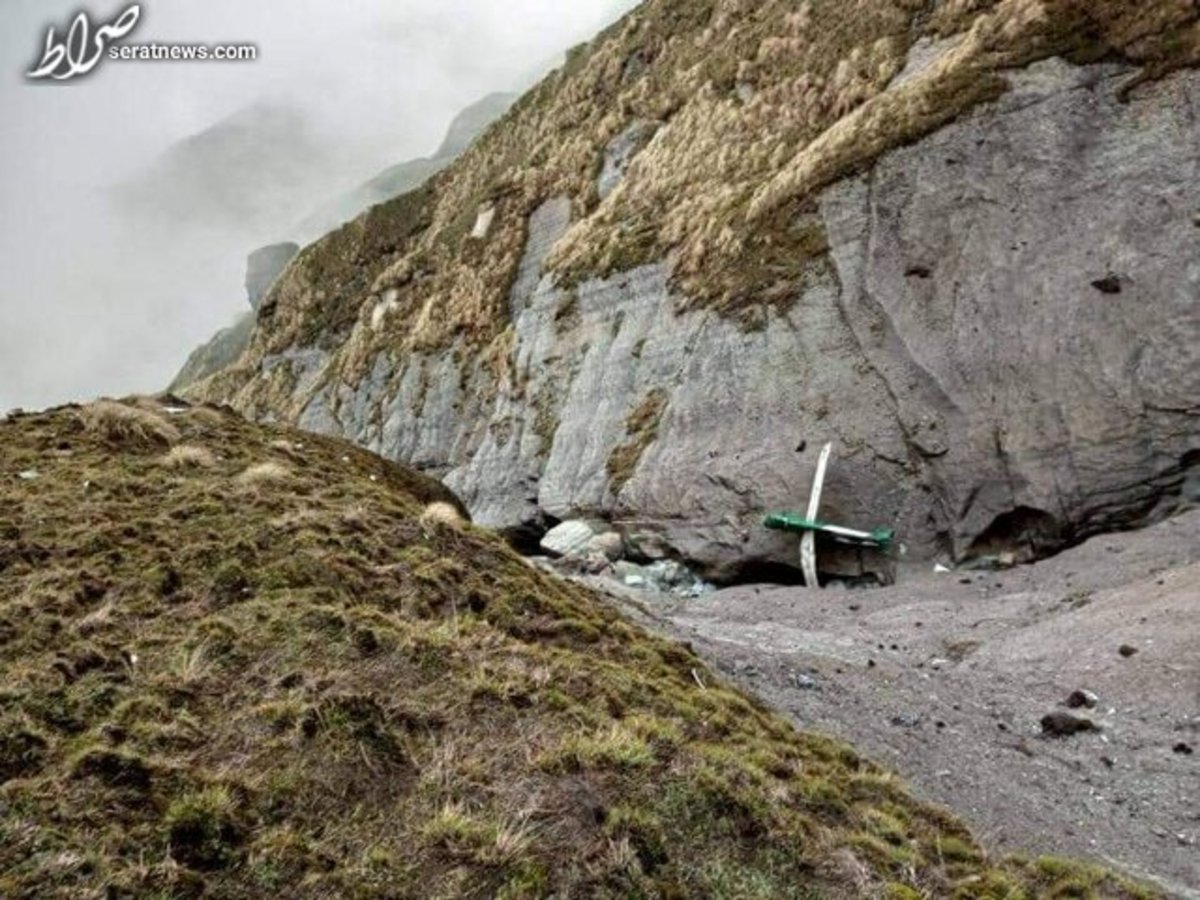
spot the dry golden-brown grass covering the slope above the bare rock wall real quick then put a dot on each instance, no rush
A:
(763, 105)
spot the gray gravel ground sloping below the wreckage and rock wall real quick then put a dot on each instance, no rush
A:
(947, 677)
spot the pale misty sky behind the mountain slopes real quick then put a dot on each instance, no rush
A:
(97, 302)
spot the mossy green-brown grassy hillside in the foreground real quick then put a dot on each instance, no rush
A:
(242, 662)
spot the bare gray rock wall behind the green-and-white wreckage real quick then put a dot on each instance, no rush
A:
(1004, 345)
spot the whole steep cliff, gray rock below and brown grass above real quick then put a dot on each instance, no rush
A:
(976, 274)
